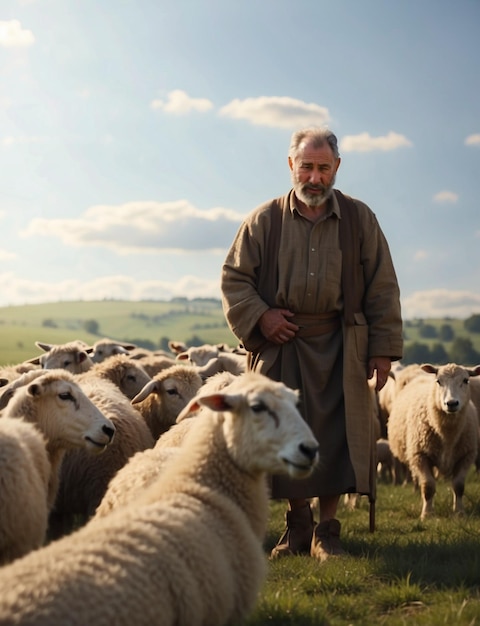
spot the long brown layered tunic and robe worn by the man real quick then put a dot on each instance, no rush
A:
(330, 370)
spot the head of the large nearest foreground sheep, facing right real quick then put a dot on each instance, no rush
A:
(262, 426)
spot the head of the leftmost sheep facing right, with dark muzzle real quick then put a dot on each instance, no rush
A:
(66, 416)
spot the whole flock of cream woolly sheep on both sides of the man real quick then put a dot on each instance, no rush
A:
(141, 477)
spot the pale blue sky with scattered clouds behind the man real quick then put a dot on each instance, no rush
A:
(135, 135)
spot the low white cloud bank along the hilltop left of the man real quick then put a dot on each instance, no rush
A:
(14, 290)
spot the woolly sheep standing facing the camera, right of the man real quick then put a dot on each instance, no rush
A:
(433, 426)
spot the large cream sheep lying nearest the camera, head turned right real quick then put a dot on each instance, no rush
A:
(189, 549)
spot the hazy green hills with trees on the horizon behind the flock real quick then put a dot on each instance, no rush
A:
(153, 323)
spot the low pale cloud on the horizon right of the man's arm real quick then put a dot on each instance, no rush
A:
(437, 303)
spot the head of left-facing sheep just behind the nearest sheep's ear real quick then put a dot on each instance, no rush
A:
(162, 399)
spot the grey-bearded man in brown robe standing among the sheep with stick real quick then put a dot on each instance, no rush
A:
(309, 288)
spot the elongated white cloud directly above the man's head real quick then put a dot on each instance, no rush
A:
(277, 112)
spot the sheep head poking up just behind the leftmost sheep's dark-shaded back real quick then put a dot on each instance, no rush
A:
(129, 376)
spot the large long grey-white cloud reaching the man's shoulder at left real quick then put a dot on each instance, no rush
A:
(144, 227)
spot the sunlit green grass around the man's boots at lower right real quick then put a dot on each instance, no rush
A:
(406, 572)
